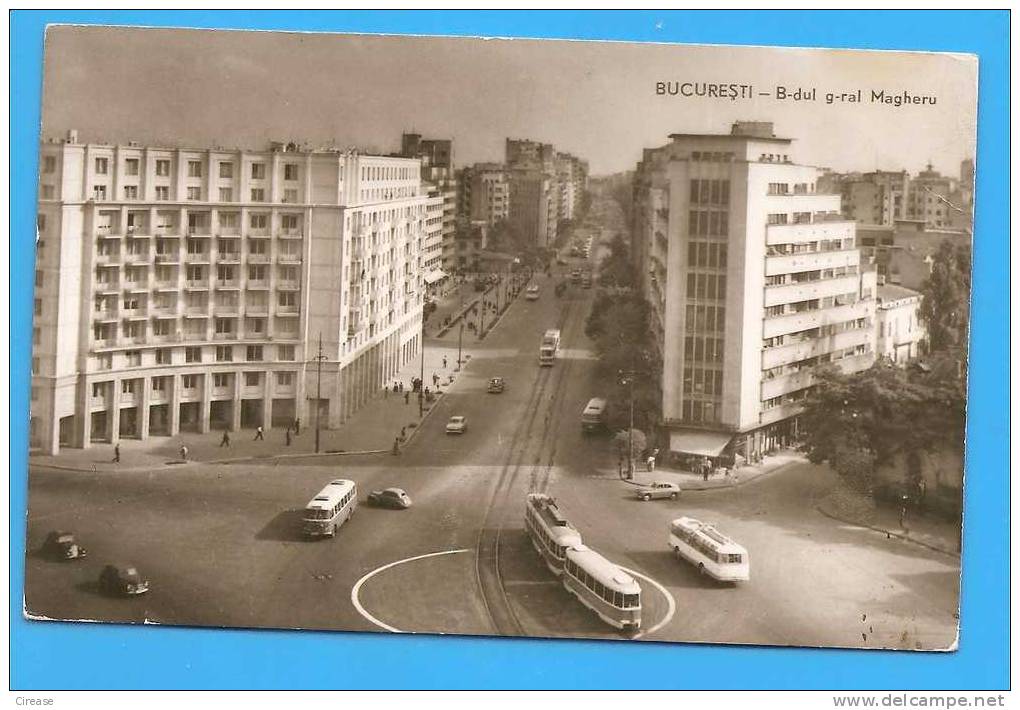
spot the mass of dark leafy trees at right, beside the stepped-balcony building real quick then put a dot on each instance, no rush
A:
(897, 434)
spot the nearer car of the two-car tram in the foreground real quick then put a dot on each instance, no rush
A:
(603, 587)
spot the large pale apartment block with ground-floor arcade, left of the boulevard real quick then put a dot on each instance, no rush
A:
(190, 289)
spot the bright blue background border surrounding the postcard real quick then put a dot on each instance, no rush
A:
(108, 656)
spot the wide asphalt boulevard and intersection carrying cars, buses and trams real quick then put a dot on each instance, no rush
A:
(222, 544)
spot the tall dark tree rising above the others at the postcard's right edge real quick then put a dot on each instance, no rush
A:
(946, 308)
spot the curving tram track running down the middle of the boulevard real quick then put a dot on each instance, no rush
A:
(524, 450)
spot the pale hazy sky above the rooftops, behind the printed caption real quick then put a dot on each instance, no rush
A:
(597, 100)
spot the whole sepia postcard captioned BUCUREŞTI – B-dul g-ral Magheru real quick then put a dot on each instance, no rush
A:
(501, 338)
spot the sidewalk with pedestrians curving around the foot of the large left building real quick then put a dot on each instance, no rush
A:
(372, 430)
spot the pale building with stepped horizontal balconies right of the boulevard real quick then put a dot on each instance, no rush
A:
(754, 278)
